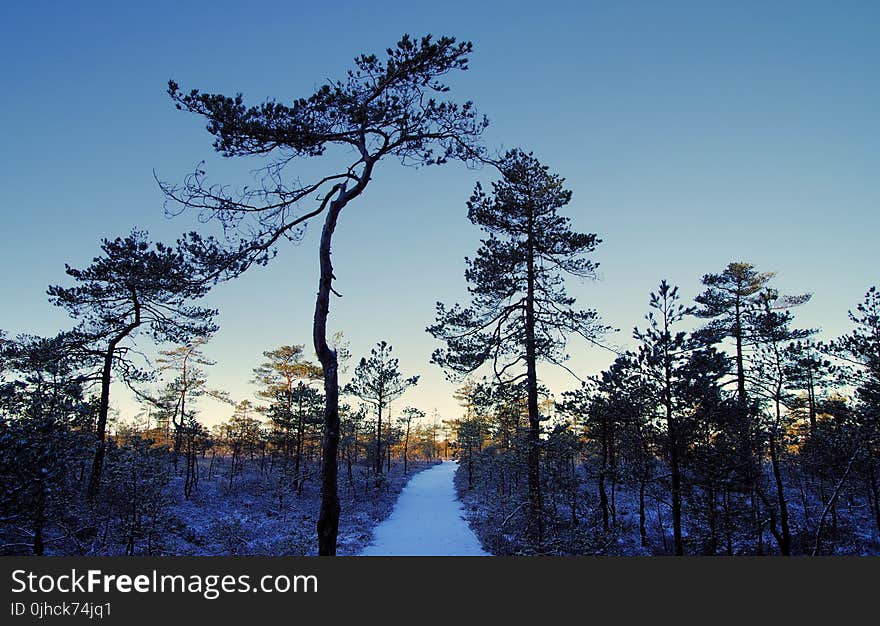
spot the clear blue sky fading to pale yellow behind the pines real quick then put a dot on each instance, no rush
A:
(691, 133)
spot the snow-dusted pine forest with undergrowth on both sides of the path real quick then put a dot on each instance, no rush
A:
(726, 428)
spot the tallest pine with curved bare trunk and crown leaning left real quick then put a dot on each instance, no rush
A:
(384, 108)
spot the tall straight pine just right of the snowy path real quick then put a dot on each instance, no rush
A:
(520, 312)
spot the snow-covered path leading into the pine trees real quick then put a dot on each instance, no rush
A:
(426, 520)
